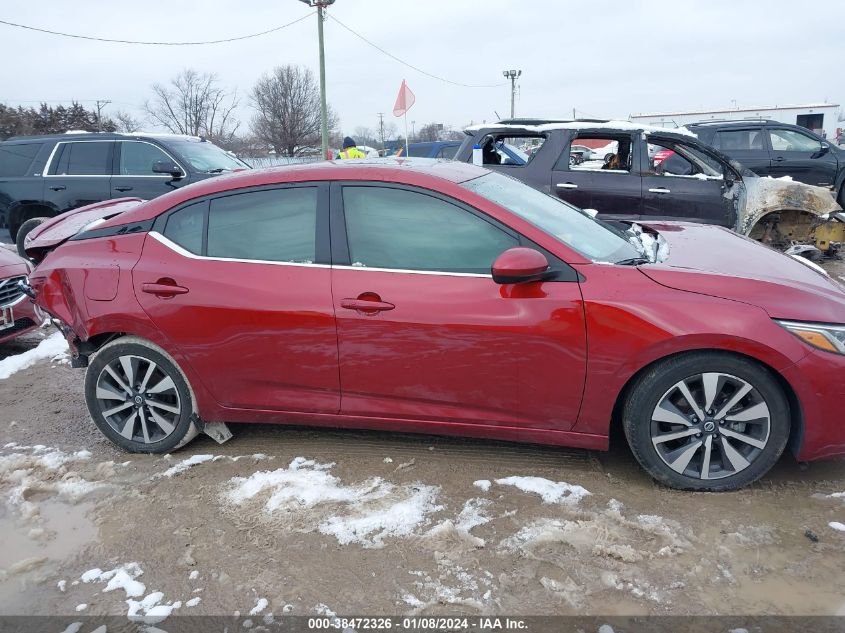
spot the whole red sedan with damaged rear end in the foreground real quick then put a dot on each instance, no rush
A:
(438, 297)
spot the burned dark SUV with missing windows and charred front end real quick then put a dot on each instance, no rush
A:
(659, 174)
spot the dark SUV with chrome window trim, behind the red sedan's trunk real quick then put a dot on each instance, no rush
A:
(42, 176)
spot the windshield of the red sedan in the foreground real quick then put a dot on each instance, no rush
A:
(590, 237)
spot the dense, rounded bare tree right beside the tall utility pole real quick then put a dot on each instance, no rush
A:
(287, 104)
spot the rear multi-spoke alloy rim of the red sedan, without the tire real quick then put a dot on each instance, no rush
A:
(138, 399)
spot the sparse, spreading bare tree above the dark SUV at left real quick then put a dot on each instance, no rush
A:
(194, 103)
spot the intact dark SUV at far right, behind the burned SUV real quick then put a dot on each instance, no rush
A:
(770, 148)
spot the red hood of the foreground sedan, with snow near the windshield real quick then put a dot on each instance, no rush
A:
(720, 263)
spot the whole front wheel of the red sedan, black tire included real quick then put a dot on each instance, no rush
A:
(707, 421)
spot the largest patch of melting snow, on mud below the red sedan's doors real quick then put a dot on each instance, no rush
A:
(364, 513)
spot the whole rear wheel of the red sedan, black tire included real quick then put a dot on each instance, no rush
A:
(139, 398)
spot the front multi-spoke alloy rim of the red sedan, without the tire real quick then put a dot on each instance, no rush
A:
(710, 426)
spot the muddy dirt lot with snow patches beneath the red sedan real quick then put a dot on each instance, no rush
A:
(355, 522)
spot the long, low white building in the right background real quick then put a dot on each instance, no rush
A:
(822, 118)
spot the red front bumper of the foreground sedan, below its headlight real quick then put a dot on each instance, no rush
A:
(819, 382)
